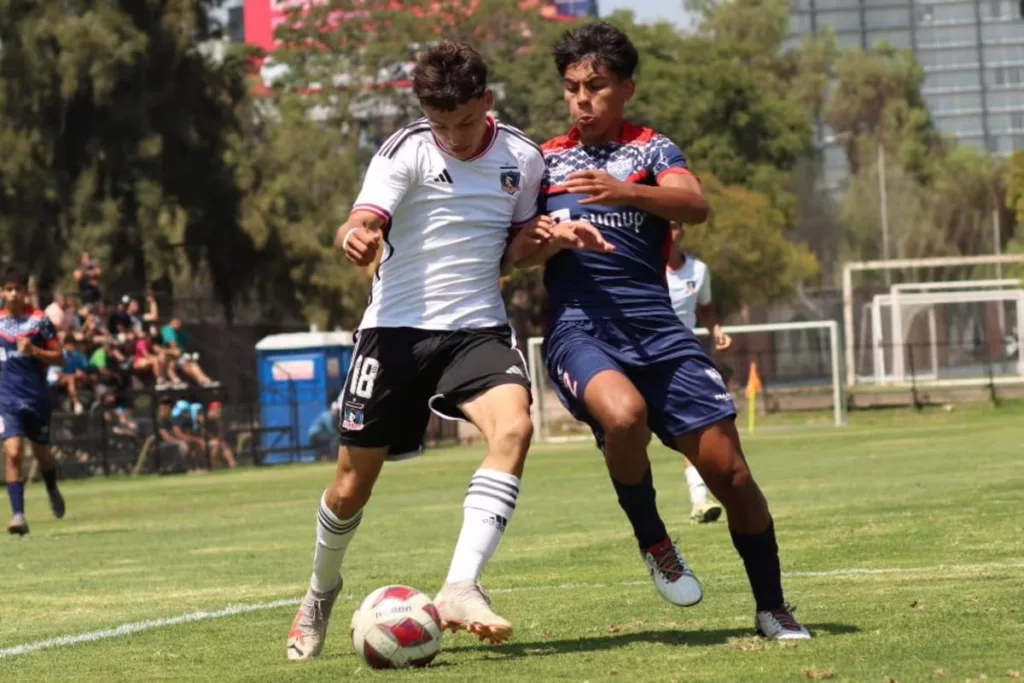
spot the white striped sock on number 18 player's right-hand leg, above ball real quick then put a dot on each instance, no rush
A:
(487, 511)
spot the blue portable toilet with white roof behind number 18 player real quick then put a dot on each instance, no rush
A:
(301, 374)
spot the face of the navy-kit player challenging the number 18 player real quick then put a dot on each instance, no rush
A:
(598, 101)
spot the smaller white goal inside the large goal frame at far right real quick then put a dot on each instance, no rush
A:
(947, 334)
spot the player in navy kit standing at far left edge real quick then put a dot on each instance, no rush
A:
(28, 347)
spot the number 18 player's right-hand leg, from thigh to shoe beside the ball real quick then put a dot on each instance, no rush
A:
(502, 415)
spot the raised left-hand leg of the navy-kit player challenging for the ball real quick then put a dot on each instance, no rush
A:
(622, 413)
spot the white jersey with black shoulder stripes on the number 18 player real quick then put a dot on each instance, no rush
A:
(448, 227)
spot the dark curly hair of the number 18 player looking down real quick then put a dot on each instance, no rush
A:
(450, 75)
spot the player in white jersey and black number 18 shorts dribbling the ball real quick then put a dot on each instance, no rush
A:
(439, 201)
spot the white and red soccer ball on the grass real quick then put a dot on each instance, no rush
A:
(397, 627)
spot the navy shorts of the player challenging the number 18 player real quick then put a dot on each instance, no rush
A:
(682, 388)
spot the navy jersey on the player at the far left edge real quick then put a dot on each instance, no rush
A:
(23, 379)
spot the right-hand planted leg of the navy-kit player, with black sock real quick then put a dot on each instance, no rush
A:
(717, 454)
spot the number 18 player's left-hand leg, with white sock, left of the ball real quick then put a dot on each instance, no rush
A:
(337, 521)
